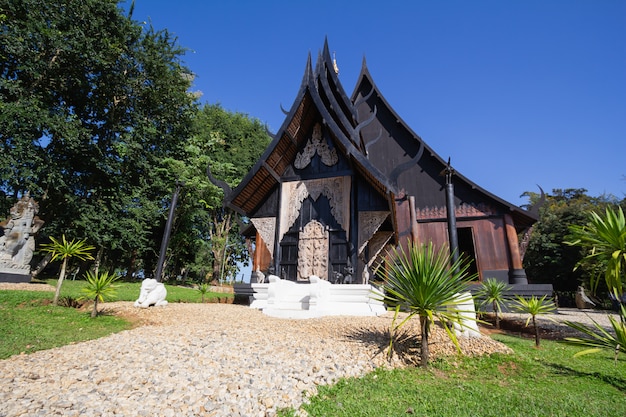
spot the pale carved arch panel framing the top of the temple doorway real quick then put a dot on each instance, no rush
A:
(337, 190)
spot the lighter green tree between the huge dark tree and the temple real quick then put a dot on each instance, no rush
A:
(207, 239)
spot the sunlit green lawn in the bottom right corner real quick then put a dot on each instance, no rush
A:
(530, 382)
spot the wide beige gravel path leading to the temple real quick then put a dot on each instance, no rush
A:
(202, 360)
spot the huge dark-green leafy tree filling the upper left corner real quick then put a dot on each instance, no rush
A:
(92, 103)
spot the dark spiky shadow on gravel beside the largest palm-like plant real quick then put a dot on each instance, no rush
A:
(405, 347)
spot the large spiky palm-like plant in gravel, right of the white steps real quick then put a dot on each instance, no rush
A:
(425, 283)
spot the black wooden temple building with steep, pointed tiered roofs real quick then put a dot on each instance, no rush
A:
(345, 178)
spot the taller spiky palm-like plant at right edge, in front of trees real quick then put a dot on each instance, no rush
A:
(605, 239)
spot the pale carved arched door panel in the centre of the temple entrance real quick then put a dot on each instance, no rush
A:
(313, 245)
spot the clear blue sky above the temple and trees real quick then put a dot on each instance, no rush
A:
(517, 93)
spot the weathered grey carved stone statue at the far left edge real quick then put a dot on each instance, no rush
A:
(17, 243)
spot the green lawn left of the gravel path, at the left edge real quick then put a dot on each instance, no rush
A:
(28, 322)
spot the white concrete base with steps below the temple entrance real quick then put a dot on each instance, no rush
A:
(316, 298)
